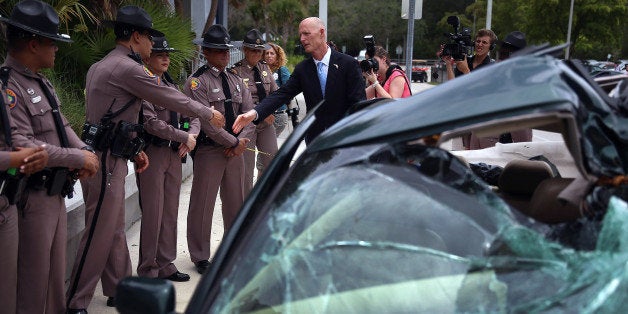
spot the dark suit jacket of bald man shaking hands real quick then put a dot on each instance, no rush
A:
(344, 87)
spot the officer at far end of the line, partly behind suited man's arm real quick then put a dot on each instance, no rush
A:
(259, 79)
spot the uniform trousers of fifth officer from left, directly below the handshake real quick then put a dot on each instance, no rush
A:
(212, 170)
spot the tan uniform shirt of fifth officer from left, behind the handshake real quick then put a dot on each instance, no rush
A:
(207, 89)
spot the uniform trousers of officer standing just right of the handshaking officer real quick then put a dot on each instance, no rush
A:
(159, 186)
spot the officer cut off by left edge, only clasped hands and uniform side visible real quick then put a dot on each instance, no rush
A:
(13, 166)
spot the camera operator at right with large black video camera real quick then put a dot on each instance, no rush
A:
(485, 41)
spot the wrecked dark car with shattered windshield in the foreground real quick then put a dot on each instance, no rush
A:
(382, 213)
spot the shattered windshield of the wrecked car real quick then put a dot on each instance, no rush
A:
(406, 229)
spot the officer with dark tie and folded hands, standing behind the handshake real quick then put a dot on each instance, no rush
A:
(218, 160)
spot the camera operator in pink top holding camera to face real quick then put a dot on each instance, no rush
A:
(386, 80)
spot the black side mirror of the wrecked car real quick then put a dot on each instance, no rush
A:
(141, 295)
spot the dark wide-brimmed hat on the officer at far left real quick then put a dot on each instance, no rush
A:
(38, 18)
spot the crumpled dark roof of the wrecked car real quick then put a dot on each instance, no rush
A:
(516, 86)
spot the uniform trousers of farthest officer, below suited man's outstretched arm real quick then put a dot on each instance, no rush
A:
(265, 140)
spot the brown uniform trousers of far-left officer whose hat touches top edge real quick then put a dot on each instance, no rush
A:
(41, 259)
